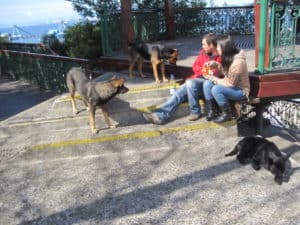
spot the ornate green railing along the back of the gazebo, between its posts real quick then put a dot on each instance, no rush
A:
(149, 25)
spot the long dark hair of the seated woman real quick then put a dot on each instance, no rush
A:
(229, 49)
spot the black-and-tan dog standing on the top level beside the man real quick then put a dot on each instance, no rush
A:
(157, 54)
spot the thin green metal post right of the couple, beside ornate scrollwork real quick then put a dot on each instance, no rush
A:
(262, 34)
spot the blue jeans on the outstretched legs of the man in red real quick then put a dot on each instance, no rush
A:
(190, 91)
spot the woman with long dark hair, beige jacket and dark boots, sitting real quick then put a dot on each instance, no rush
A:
(234, 85)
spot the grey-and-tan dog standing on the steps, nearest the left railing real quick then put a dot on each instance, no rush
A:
(93, 94)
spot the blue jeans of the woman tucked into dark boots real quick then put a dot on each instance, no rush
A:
(222, 94)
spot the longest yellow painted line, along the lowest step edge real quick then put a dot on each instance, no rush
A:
(134, 135)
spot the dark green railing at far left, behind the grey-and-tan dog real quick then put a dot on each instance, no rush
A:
(46, 71)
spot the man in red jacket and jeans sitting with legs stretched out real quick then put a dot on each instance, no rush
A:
(192, 87)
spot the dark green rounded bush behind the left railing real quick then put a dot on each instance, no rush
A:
(83, 40)
